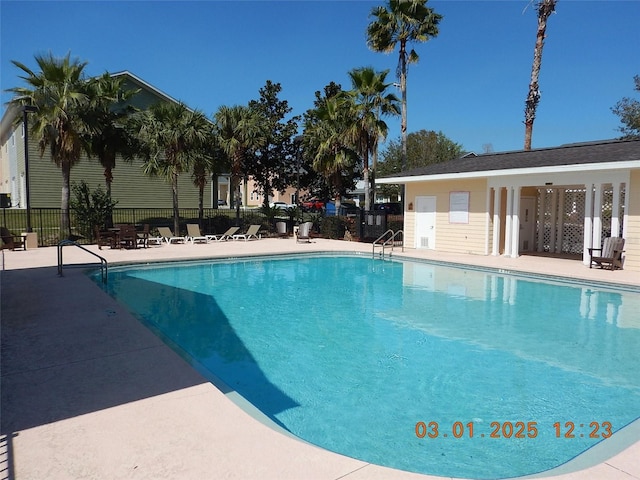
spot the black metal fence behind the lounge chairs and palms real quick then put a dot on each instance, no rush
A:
(363, 225)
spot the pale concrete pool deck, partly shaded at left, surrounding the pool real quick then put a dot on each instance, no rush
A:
(88, 392)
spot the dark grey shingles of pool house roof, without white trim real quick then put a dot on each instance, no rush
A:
(573, 154)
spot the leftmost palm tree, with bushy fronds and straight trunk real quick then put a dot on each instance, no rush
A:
(60, 94)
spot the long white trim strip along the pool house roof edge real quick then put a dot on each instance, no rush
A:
(579, 167)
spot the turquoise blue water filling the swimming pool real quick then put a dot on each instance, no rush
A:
(352, 354)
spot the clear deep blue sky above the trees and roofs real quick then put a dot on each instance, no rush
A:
(470, 83)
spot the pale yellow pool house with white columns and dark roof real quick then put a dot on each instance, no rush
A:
(557, 201)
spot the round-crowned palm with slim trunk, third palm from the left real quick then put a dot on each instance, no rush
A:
(170, 137)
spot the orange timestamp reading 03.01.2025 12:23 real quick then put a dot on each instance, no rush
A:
(511, 430)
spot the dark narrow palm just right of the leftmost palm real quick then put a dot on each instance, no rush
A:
(106, 116)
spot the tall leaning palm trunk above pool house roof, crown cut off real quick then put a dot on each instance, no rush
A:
(545, 8)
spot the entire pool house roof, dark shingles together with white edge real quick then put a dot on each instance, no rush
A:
(618, 152)
